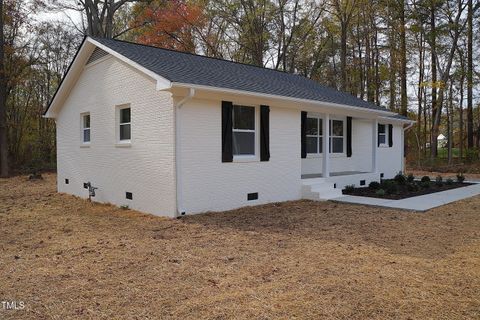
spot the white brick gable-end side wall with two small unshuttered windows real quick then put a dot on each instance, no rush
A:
(147, 168)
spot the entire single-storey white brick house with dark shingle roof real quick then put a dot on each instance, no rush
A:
(173, 133)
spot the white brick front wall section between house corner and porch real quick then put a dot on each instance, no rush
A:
(209, 184)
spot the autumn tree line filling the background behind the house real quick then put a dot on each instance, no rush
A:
(418, 58)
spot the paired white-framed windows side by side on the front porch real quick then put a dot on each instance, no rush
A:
(314, 130)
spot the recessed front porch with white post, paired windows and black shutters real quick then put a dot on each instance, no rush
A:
(335, 145)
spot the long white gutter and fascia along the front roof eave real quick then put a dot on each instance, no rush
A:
(272, 96)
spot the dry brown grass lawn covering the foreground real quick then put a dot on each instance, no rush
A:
(281, 261)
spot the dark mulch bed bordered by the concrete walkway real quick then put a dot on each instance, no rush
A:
(403, 191)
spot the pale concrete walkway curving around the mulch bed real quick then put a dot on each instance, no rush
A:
(420, 203)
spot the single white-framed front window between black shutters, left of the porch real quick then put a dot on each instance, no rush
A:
(244, 131)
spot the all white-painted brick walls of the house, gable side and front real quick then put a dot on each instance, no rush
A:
(147, 168)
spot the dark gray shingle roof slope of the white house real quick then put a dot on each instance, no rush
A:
(200, 70)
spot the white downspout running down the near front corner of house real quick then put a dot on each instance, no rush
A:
(179, 210)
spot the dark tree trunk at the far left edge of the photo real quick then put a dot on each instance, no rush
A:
(4, 170)
